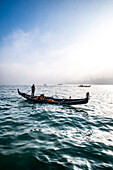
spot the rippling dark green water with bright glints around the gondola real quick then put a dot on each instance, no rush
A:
(54, 137)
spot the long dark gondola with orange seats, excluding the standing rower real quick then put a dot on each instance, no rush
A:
(51, 100)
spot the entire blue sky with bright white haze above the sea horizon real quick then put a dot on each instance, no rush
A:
(56, 41)
